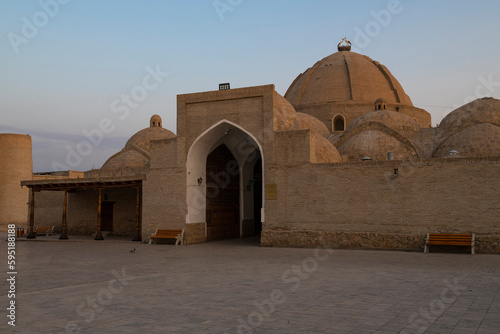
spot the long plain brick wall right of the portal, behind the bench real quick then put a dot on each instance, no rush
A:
(384, 204)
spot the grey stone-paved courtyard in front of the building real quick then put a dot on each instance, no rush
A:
(235, 286)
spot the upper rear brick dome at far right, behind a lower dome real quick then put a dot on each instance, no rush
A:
(486, 110)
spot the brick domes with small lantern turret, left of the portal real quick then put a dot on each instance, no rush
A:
(134, 158)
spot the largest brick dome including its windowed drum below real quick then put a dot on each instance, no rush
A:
(346, 85)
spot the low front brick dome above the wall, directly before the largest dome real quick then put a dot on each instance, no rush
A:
(374, 144)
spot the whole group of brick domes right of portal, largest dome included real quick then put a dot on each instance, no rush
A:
(368, 114)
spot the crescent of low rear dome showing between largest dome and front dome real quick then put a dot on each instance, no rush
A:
(399, 122)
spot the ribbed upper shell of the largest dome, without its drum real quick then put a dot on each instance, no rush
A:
(346, 76)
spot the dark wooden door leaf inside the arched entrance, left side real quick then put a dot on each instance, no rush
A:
(223, 195)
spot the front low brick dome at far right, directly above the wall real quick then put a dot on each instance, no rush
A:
(482, 140)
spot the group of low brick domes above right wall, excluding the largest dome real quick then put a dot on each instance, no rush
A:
(470, 131)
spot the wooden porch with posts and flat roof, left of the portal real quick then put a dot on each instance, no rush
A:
(70, 185)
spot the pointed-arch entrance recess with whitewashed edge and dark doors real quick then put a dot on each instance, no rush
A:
(224, 159)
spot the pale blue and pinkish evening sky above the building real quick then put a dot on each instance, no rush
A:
(66, 65)
